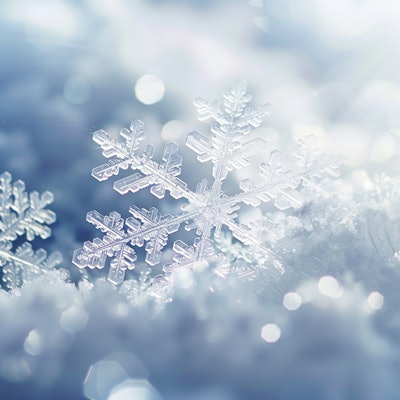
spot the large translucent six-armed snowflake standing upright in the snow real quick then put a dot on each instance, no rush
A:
(208, 209)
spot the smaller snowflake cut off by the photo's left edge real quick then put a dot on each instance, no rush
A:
(22, 213)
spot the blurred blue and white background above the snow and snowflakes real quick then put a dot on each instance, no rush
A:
(68, 68)
